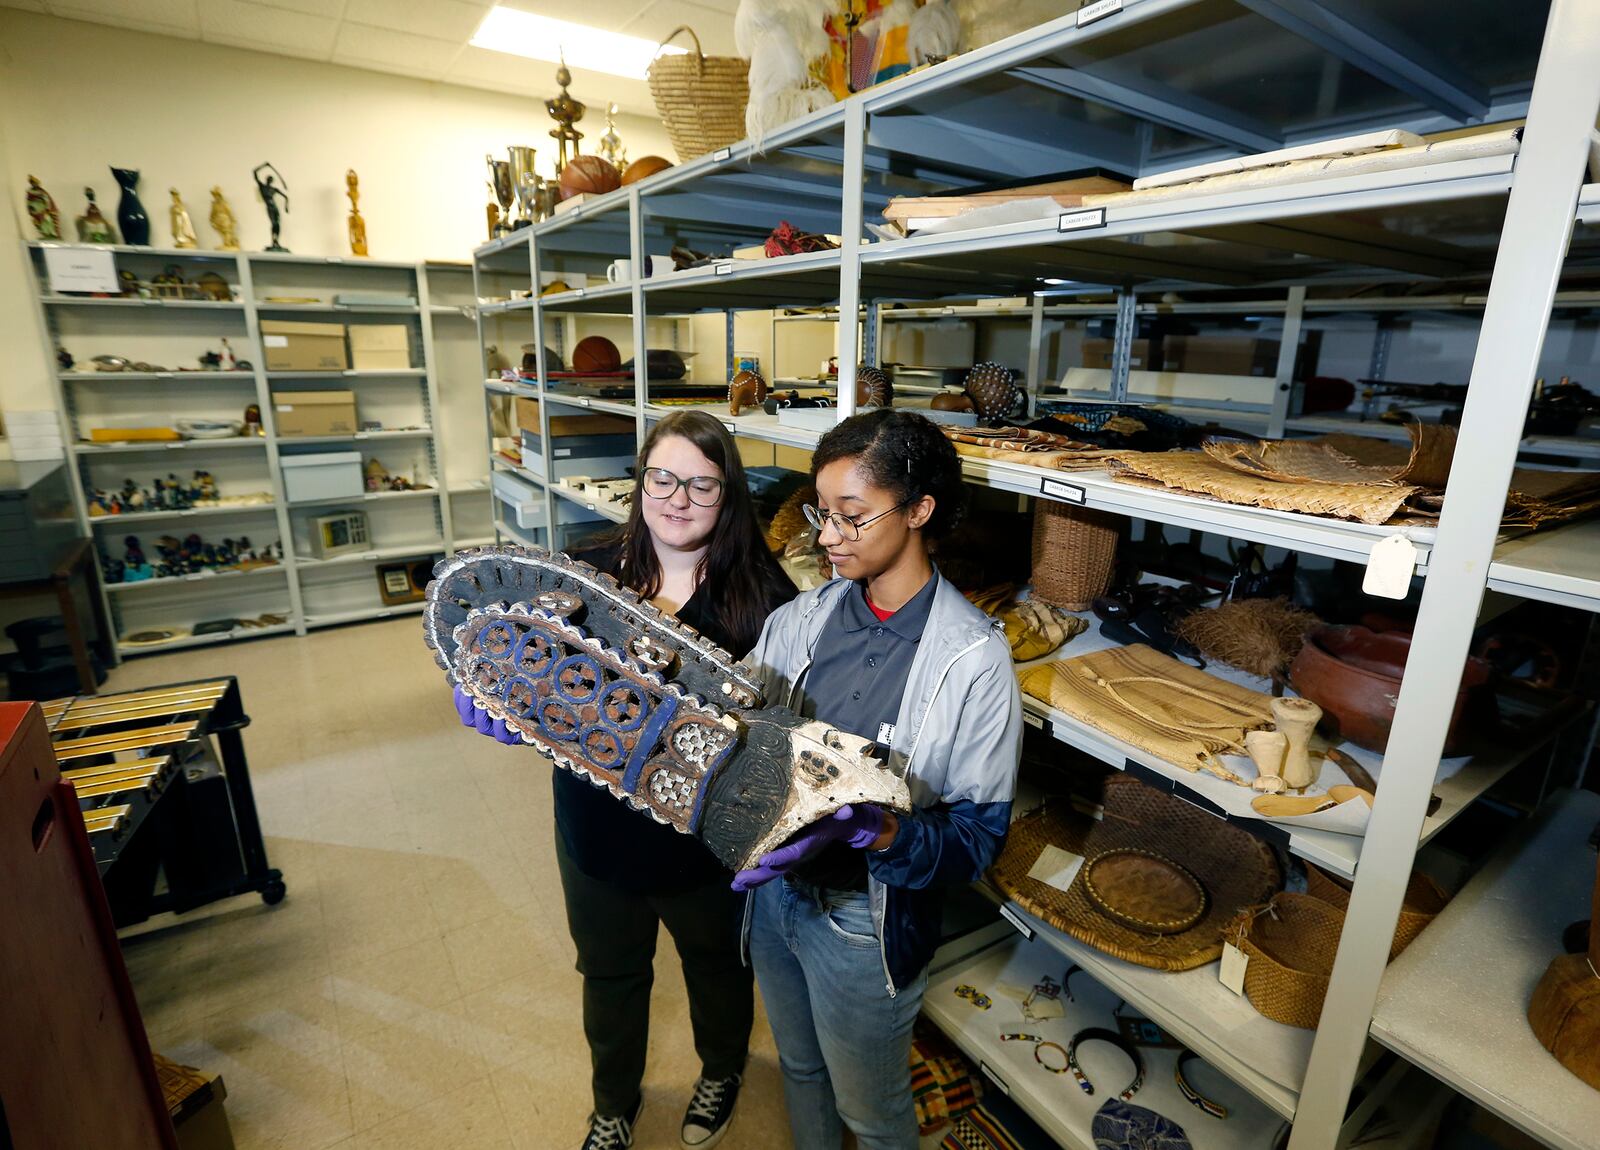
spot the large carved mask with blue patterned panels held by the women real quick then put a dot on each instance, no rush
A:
(639, 705)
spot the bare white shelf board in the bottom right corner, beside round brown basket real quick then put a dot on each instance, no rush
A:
(1455, 1004)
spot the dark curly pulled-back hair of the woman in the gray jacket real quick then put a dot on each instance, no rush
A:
(902, 453)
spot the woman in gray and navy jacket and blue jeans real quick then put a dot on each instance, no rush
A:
(844, 919)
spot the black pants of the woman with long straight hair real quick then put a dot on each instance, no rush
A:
(615, 933)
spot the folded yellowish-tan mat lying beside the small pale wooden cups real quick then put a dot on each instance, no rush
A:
(1156, 703)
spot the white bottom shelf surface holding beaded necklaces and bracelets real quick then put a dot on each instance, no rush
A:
(1007, 973)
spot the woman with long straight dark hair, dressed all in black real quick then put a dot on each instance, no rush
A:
(692, 546)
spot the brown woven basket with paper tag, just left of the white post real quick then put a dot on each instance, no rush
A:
(1290, 944)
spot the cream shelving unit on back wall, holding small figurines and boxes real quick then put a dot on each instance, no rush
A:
(94, 322)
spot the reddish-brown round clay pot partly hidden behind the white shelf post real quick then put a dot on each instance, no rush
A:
(1354, 676)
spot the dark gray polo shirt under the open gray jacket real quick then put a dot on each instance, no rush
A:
(855, 684)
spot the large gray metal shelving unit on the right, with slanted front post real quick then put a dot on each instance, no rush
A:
(1143, 87)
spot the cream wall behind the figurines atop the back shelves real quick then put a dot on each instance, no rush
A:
(76, 98)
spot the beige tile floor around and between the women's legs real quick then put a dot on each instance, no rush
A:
(417, 988)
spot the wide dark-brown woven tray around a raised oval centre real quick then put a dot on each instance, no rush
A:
(1236, 869)
